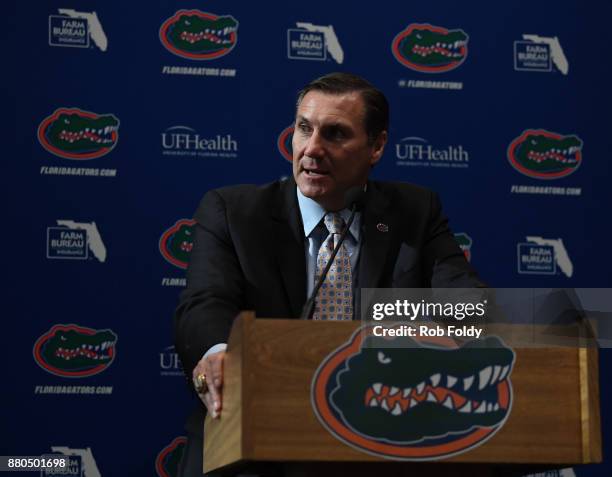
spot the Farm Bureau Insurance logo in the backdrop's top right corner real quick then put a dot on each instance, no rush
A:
(539, 53)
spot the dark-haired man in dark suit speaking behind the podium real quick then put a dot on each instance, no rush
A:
(258, 248)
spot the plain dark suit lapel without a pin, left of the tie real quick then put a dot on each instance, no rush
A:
(289, 243)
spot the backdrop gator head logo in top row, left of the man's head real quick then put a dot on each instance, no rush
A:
(198, 35)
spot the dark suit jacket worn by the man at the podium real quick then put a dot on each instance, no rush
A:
(248, 254)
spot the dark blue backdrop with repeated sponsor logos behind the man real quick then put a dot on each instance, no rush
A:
(127, 113)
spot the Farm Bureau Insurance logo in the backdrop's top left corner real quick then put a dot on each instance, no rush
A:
(74, 29)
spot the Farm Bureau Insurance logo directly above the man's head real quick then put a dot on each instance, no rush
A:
(313, 42)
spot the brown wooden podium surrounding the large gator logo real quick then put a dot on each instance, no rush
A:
(267, 416)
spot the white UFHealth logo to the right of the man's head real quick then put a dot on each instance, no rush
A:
(416, 151)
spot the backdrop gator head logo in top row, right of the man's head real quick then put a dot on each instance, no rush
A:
(430, 49)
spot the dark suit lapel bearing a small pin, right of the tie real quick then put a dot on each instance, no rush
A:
(379, 228)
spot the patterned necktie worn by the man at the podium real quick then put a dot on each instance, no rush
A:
(335, 297)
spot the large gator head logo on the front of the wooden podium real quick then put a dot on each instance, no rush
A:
(418, 402)
